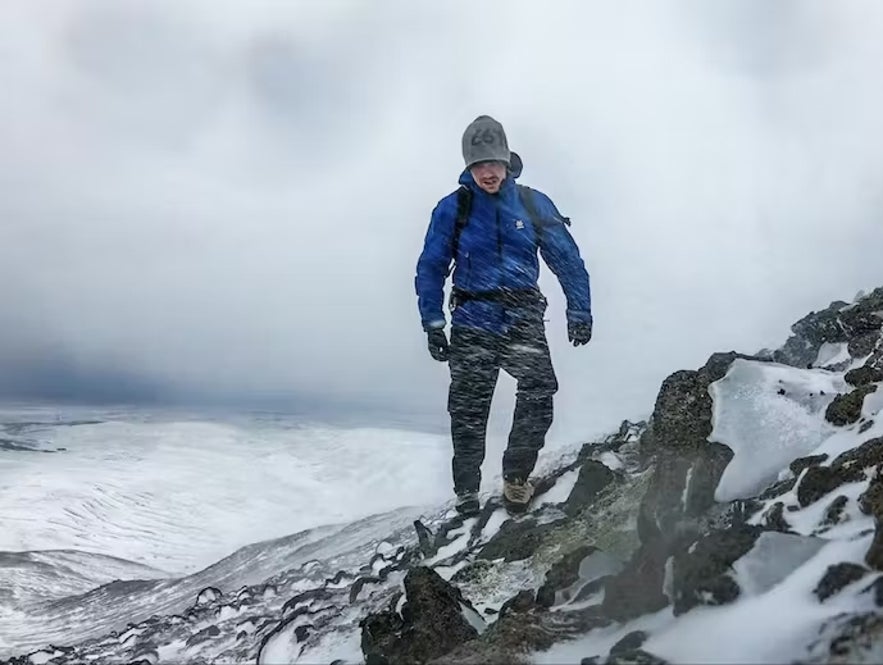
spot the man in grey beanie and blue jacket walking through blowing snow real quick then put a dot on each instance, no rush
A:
(492, 229)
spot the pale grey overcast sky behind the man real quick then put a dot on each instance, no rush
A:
(203, 198)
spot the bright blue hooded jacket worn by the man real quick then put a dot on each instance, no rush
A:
(497, 250)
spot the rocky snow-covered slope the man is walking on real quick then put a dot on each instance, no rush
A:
(738, 525)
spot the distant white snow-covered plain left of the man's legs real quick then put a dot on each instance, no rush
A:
(180, 495)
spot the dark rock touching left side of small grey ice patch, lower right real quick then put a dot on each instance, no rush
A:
(701, 576)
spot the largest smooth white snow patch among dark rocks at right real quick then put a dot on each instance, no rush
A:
(768, 414)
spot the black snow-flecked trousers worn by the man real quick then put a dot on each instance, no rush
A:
(475, 360)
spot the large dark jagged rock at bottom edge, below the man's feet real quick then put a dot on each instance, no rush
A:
(431, 623)
